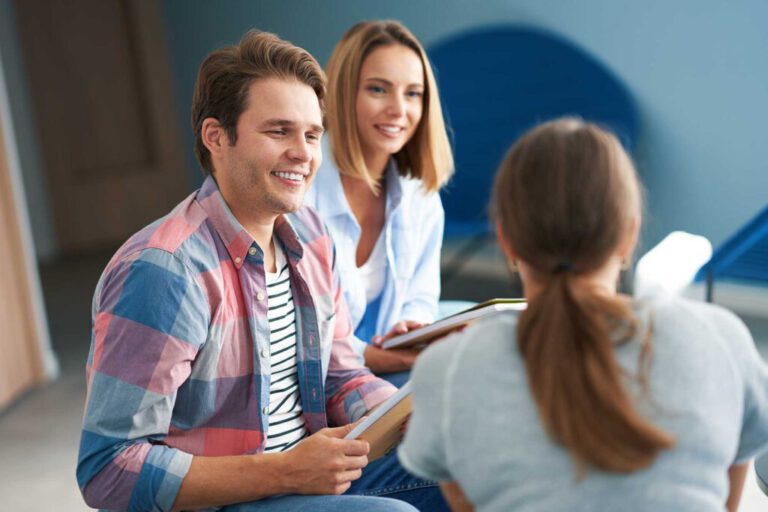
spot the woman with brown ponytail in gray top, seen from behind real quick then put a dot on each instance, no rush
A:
(587, 400)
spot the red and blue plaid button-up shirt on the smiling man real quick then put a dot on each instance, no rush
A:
(179, 360)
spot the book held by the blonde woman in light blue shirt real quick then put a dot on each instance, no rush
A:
(427, 333)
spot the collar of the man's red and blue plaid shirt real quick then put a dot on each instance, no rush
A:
(236, 238)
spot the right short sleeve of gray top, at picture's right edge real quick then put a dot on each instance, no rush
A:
(754, 374)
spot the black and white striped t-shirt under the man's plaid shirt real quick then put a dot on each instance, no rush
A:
(286, 424)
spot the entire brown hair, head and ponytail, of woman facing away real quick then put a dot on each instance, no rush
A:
(565, 198)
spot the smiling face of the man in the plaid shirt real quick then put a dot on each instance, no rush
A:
(267, 172)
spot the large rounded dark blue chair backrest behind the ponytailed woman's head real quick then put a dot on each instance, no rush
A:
(496, 83)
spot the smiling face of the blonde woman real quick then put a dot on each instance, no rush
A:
(390, 100)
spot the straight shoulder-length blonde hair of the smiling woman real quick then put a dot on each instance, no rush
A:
(427, 156)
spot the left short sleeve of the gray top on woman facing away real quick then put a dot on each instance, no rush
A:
(424, 449)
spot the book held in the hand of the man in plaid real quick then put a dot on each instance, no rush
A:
(381, 428)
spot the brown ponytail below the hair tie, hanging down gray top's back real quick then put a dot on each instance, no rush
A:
(576, 381)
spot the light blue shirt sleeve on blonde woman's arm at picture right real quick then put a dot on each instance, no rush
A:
(424, 288)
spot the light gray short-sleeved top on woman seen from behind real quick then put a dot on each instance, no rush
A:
(475, 422)
